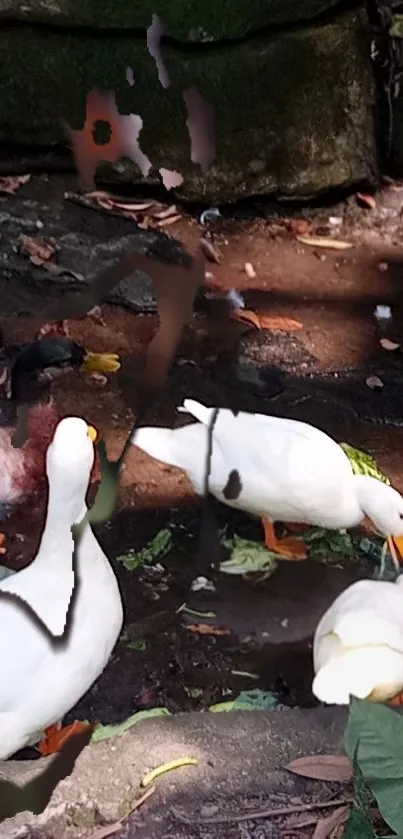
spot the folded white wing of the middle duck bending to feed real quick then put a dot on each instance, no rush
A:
(288, 469)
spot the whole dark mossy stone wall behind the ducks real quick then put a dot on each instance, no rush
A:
(293, 100)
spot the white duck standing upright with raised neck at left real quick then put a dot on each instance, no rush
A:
(42, 677)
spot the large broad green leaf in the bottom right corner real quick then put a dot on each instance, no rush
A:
(374, 735)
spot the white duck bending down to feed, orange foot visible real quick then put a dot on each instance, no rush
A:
(282, 470)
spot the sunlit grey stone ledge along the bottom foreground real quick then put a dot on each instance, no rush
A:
(240, 755)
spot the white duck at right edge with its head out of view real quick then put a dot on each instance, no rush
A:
(358, 644)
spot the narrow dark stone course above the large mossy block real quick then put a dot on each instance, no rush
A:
(185, 20)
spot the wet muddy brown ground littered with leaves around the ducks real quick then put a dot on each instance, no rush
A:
(260, 635)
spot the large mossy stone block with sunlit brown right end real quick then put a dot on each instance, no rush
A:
(292, 112)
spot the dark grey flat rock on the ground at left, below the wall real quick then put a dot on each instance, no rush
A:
(87, 242)
